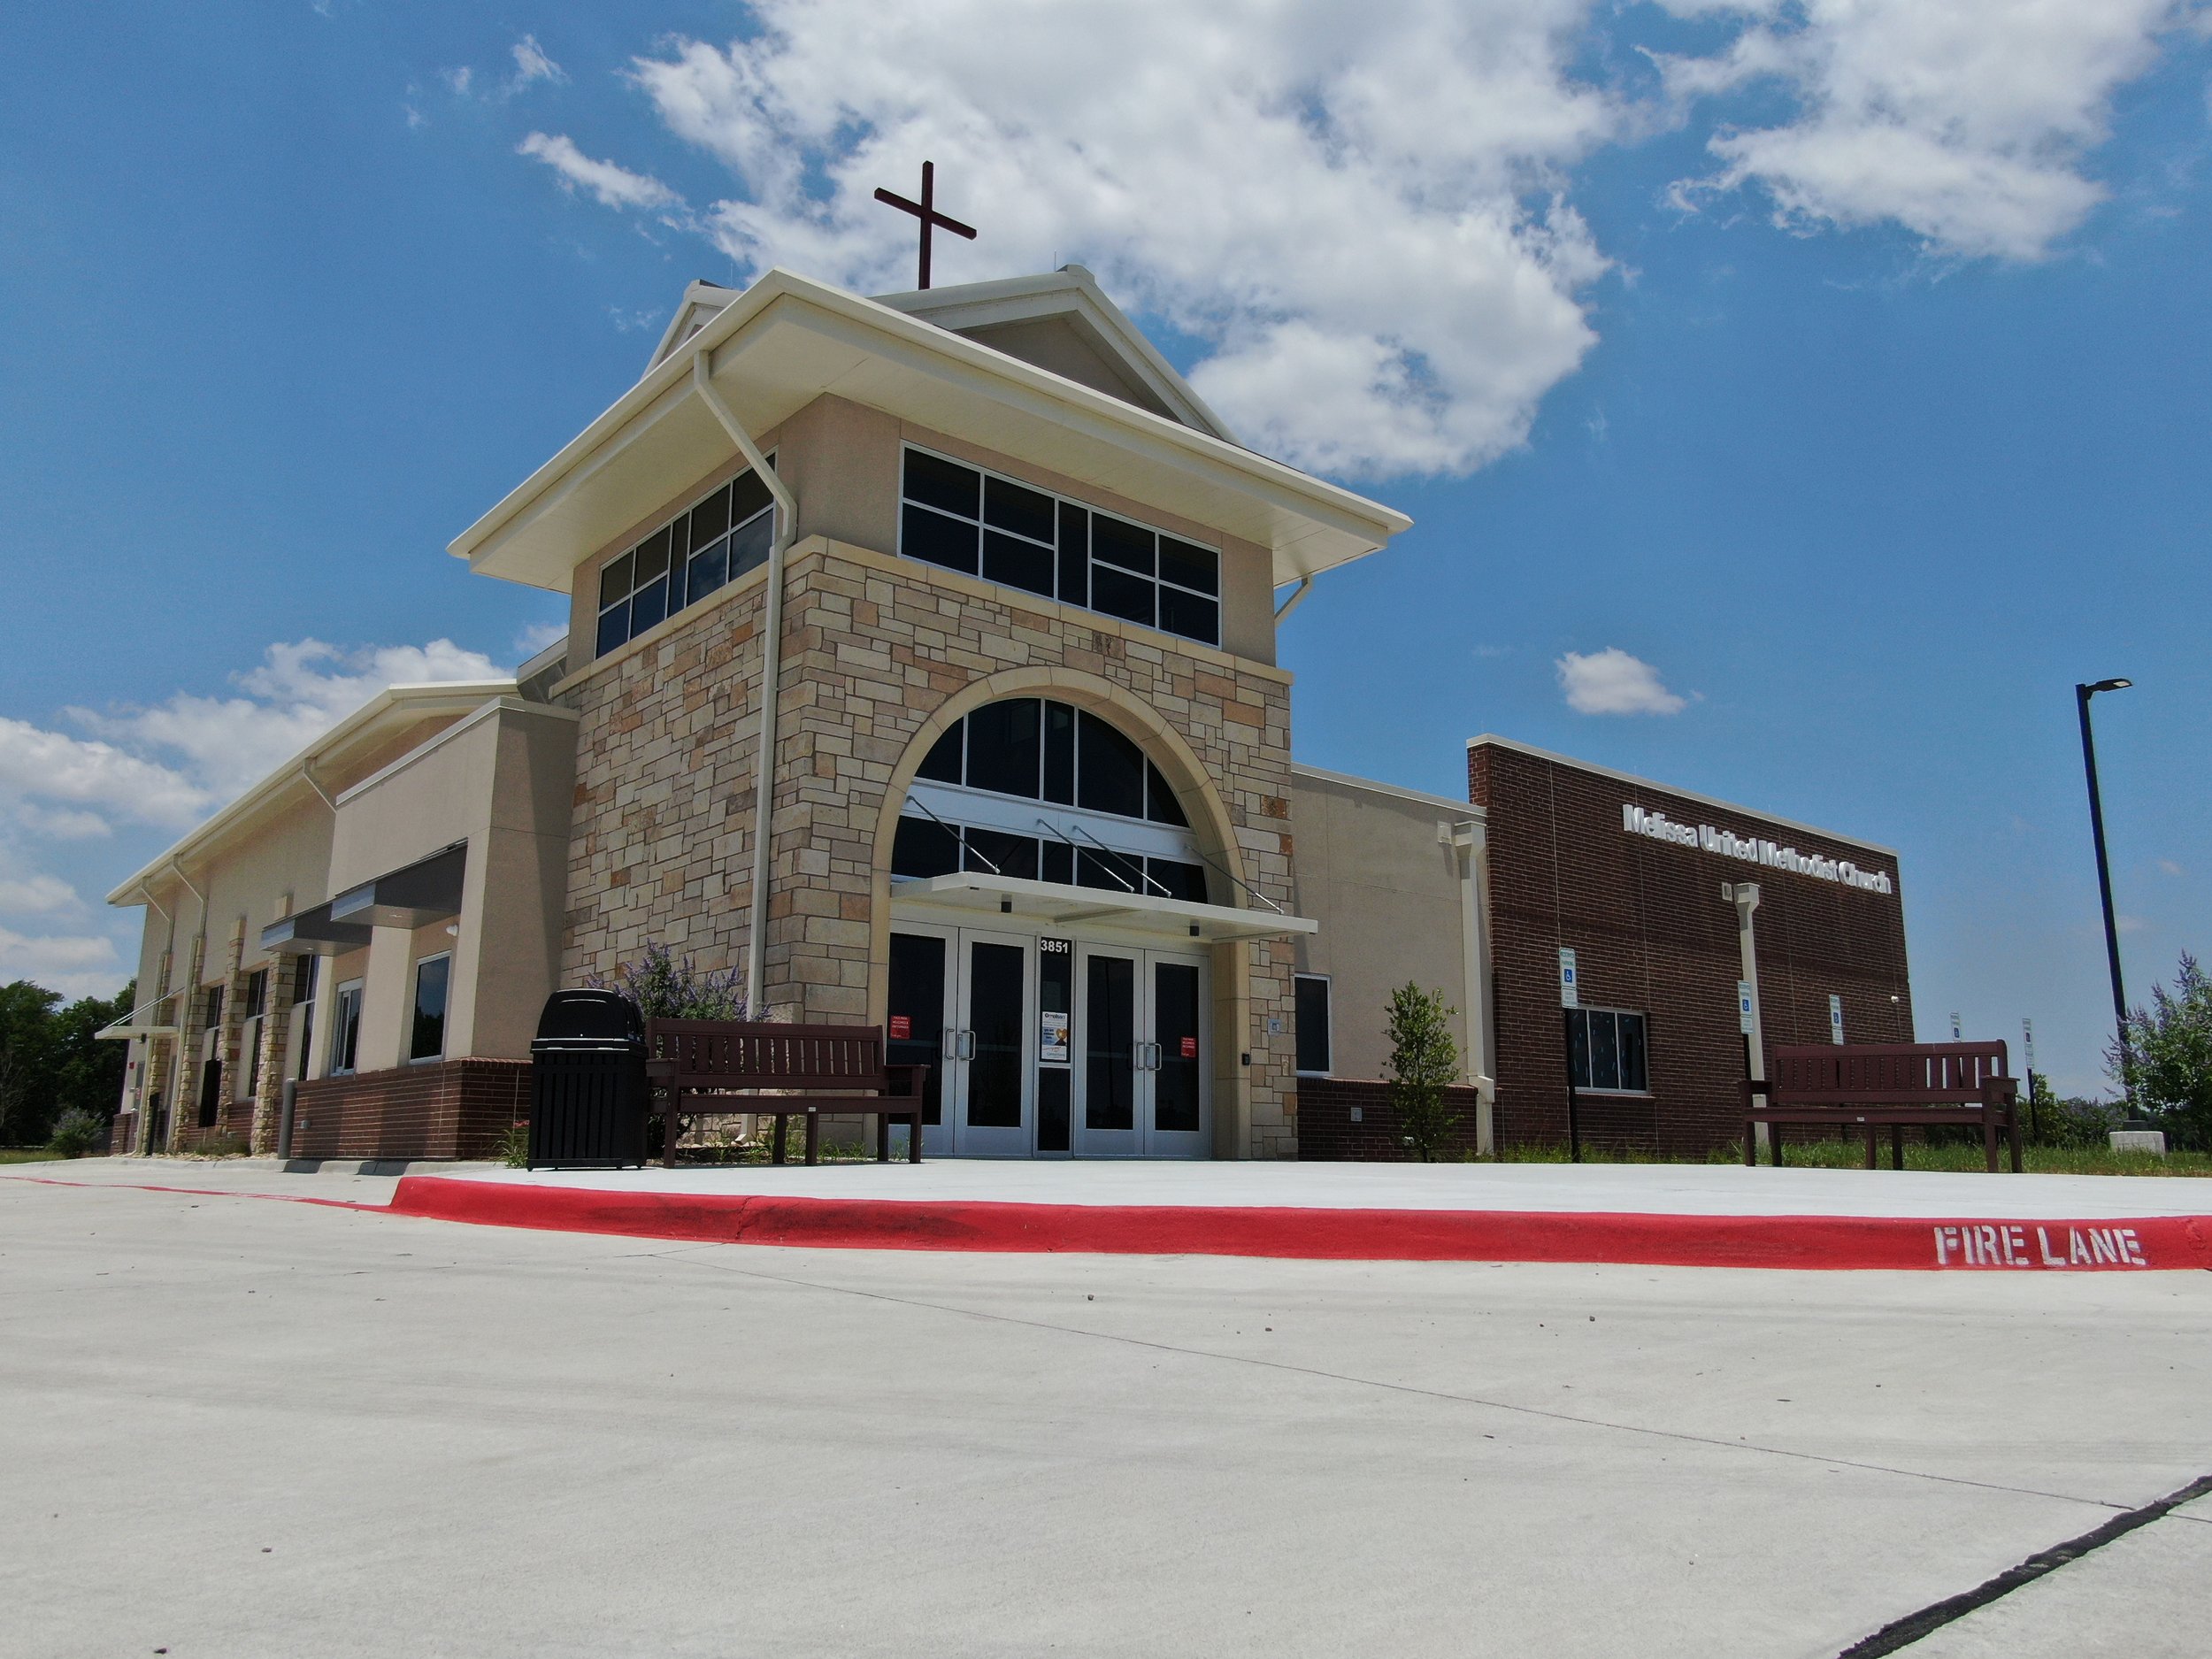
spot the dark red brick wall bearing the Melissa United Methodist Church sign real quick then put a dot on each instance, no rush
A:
(1651, 932)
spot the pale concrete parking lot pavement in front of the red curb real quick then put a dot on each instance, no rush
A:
(244, 1428)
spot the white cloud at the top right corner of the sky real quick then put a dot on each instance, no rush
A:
(1965, 123)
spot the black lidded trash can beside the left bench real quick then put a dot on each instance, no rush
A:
(587, 1085)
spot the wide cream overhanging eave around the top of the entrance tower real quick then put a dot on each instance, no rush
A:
(789, 340)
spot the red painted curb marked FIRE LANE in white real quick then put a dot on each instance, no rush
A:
(1326, 1235)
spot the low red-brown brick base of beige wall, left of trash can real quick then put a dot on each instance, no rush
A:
(457, 1109)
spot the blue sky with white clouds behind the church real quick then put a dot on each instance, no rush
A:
(1848, 371)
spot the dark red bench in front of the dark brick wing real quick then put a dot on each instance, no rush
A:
(1886, 1085)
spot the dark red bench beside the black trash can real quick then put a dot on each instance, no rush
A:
(716, 1067)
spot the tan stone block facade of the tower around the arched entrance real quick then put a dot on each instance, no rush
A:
(879, 656)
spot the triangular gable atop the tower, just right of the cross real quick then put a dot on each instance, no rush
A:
(1063, 322)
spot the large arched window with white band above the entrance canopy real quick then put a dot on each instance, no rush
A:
(1047, 793)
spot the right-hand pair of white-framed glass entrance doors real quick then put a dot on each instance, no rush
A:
(1145, 1085)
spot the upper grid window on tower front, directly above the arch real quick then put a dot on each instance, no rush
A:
(1027, 539)
